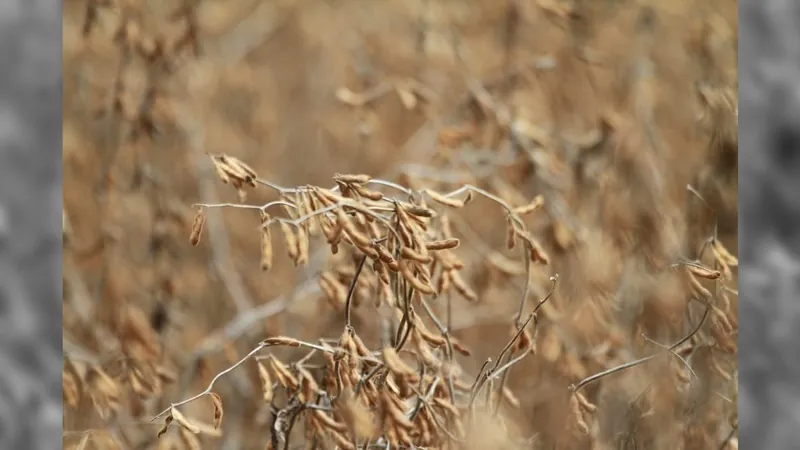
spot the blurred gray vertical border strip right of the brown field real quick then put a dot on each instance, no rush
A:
(769, 224)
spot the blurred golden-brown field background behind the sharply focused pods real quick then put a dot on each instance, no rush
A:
(608, 109)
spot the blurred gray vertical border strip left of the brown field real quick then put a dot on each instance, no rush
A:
(30, 224)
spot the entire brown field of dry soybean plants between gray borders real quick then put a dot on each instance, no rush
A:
(400, 224)
